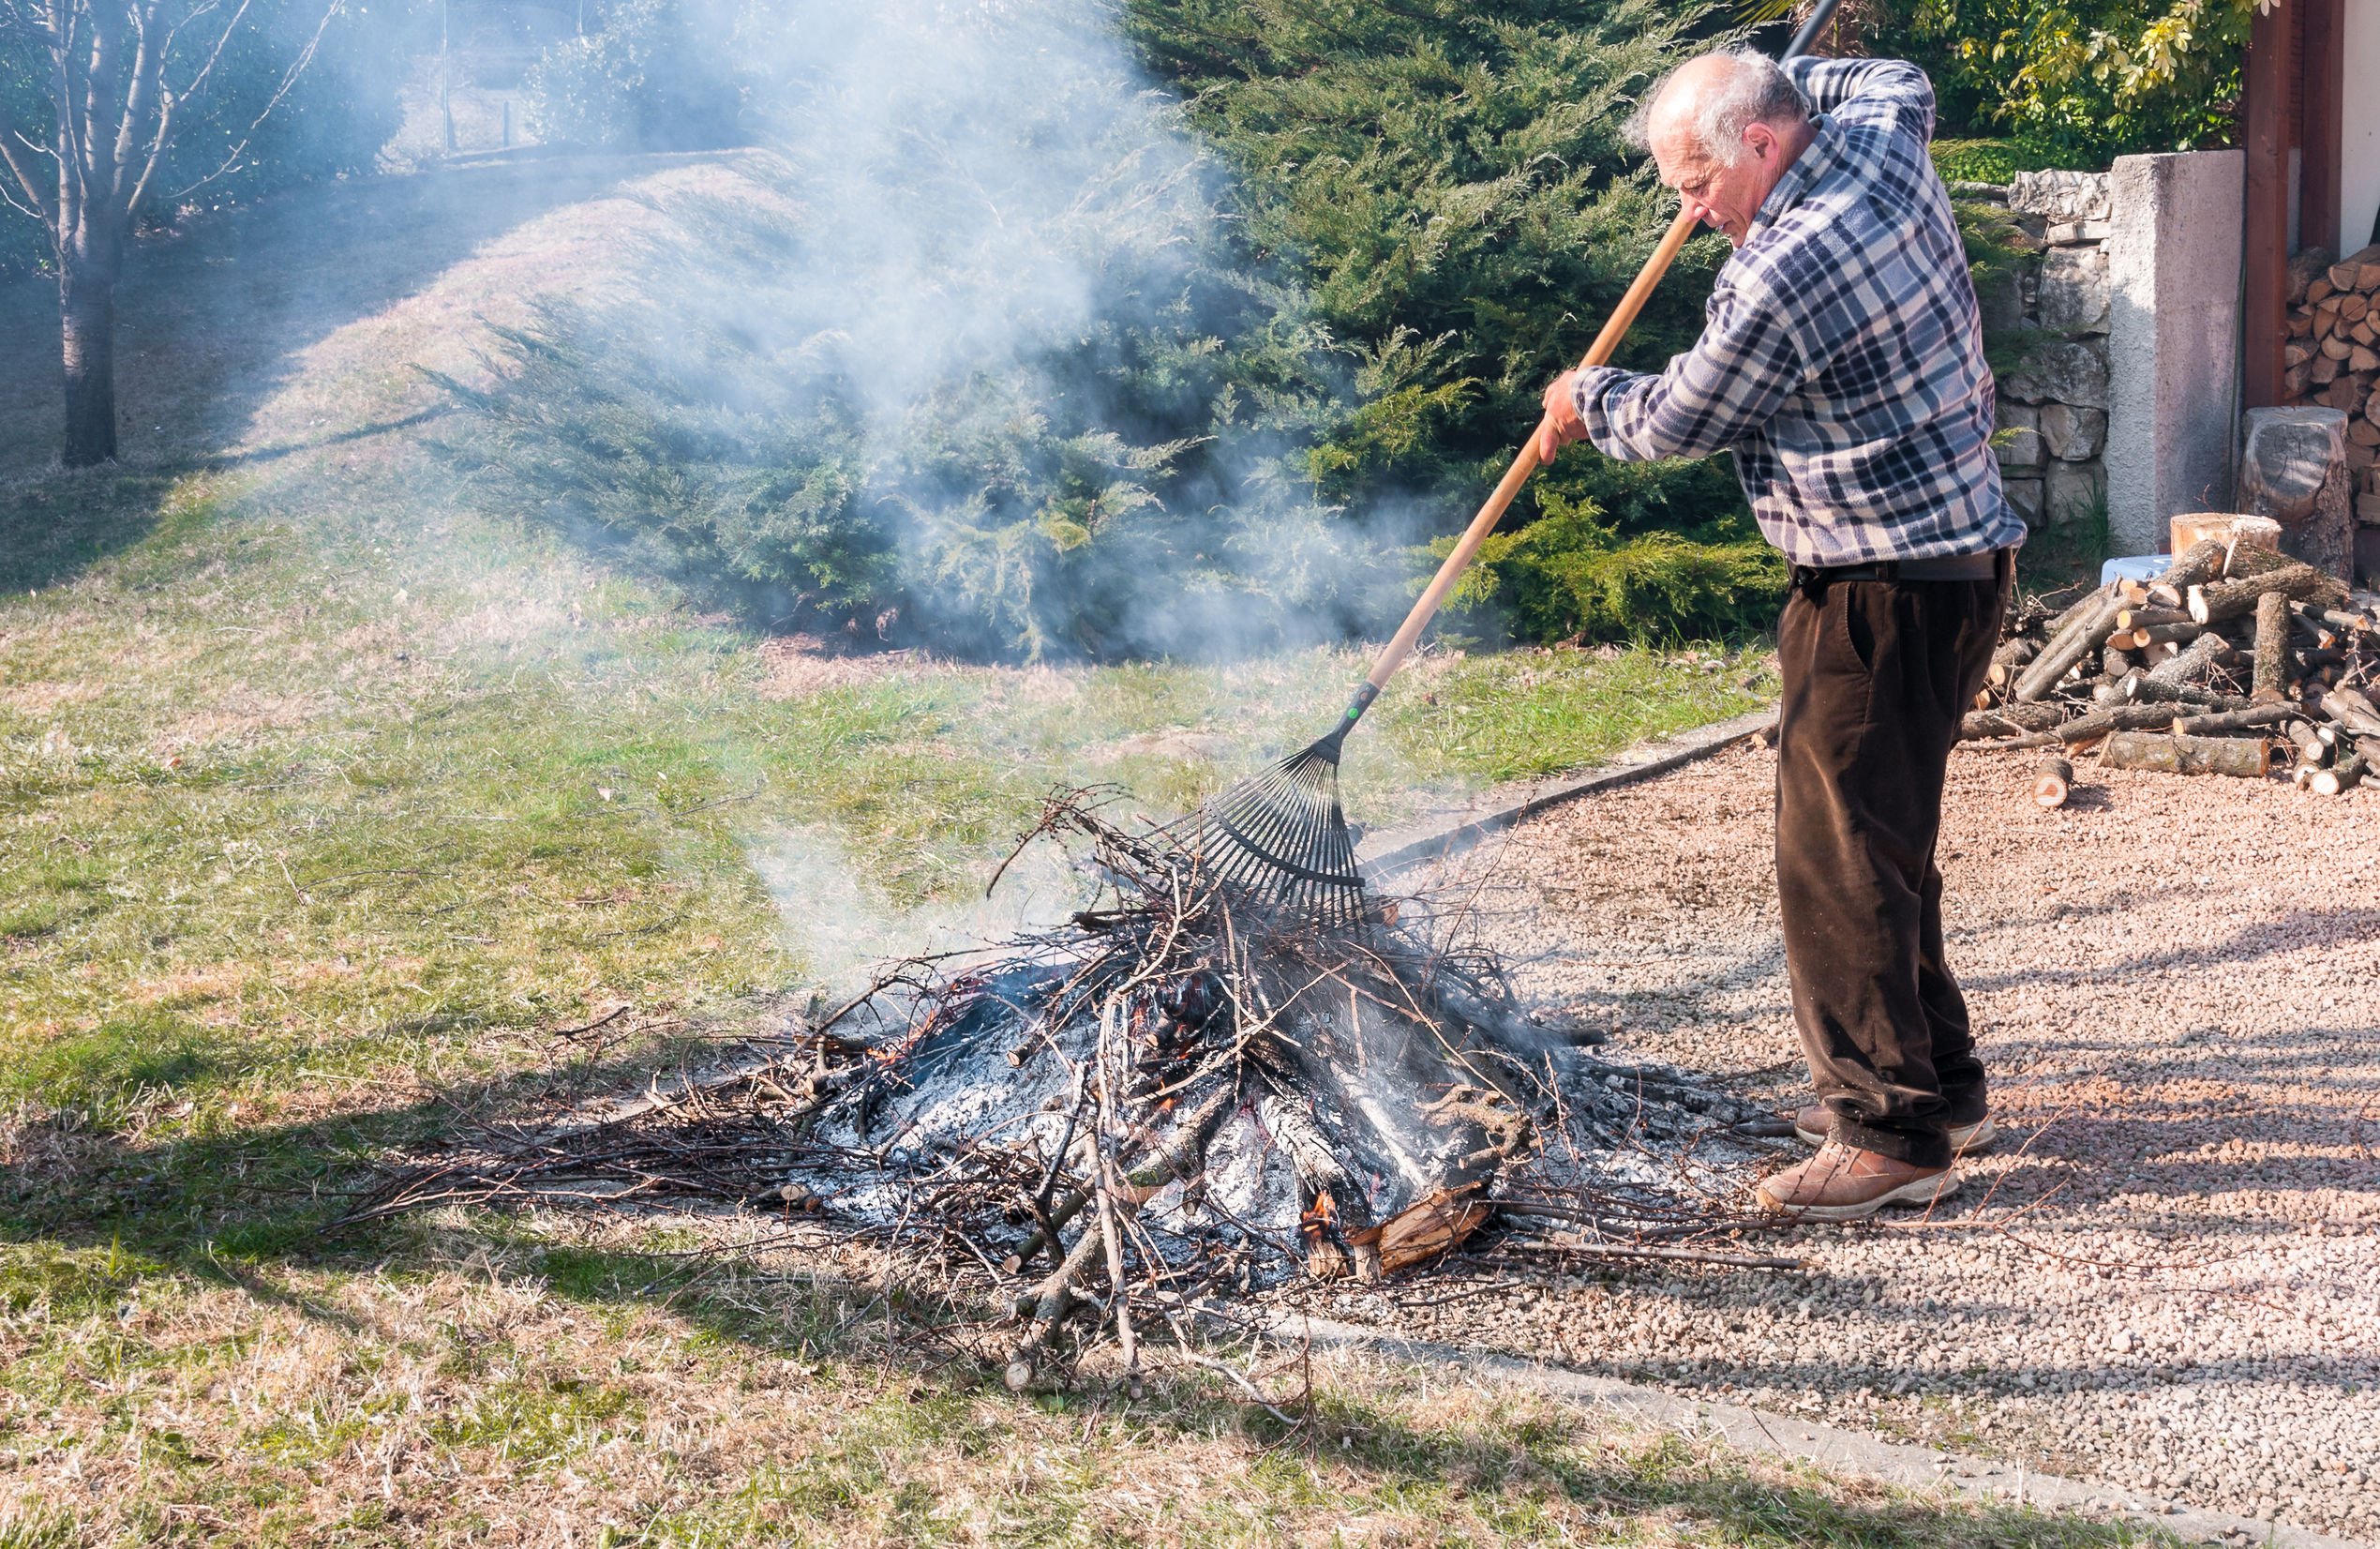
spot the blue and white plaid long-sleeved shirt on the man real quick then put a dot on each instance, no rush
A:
(1843, 353)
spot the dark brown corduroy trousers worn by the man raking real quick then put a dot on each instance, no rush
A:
(1877, 679)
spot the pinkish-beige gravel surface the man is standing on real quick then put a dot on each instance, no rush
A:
(2169, 1272)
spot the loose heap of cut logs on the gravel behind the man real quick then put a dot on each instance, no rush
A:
(2229, 663)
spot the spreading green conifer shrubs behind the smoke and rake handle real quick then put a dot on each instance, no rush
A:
(1008, 351)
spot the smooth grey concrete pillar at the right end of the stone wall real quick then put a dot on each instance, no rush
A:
(2174, 341)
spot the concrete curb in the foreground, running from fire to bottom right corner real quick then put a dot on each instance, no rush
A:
(1831, 1448)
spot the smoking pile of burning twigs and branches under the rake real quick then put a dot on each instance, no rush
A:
(1175, 1100)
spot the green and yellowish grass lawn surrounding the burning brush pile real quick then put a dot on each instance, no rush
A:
(327, 805)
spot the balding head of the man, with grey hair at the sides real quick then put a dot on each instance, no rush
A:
(1724, 130)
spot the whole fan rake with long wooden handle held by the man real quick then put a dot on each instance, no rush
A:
(1282, 836)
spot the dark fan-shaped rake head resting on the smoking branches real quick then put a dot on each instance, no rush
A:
(1284, 841)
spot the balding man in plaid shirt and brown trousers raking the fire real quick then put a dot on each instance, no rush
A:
(1843, 365)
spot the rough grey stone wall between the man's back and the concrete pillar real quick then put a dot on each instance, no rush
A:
(2055, 401)
